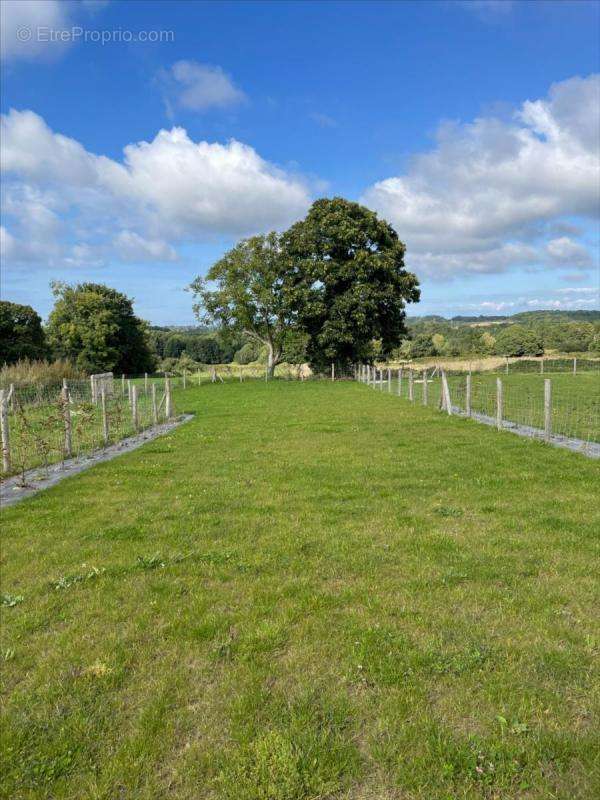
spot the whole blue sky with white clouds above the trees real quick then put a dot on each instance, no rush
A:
(471, 126)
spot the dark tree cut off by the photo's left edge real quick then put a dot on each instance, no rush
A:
(21, 333)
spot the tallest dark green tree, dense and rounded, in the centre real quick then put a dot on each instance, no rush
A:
(353, 263)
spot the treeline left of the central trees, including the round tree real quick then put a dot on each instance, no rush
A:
(92, 328)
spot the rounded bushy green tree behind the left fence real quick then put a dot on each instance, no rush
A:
(95, 327)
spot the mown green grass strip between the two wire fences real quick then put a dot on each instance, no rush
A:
(312, 590)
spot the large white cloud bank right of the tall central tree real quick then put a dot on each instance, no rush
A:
(491, 185)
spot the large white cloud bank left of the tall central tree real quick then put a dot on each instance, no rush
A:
(164, 192)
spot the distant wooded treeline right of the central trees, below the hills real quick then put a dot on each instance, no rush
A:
(539, 333)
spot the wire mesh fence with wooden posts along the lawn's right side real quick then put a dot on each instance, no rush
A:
(553, 406)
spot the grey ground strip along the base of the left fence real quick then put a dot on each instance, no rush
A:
(13, 491)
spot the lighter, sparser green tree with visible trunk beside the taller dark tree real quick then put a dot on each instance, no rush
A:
(256, 290)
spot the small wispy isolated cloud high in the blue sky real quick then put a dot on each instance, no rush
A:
(198, 87)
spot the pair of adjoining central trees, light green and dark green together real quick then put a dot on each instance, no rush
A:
(323, 290)
